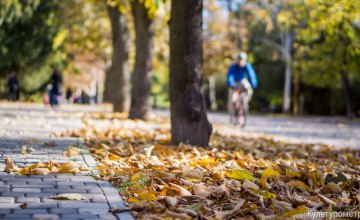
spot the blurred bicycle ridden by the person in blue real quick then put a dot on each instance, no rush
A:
(239, 107)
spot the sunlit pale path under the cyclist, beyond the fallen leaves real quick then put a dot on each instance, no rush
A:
(332, 131)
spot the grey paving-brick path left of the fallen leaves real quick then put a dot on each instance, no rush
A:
(31, 125)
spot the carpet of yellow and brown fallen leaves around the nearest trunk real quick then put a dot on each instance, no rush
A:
(235, 177)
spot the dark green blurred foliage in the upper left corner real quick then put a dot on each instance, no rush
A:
(27, 32)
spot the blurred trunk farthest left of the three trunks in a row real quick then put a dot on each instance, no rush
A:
(117, 83)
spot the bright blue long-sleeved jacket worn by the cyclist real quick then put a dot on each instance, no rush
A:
(237, 73)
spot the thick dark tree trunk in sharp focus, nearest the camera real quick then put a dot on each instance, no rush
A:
(189, 123)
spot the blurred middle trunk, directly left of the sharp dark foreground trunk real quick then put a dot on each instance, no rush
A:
(141, 86)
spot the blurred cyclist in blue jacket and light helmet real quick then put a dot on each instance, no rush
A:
(241, 76)
